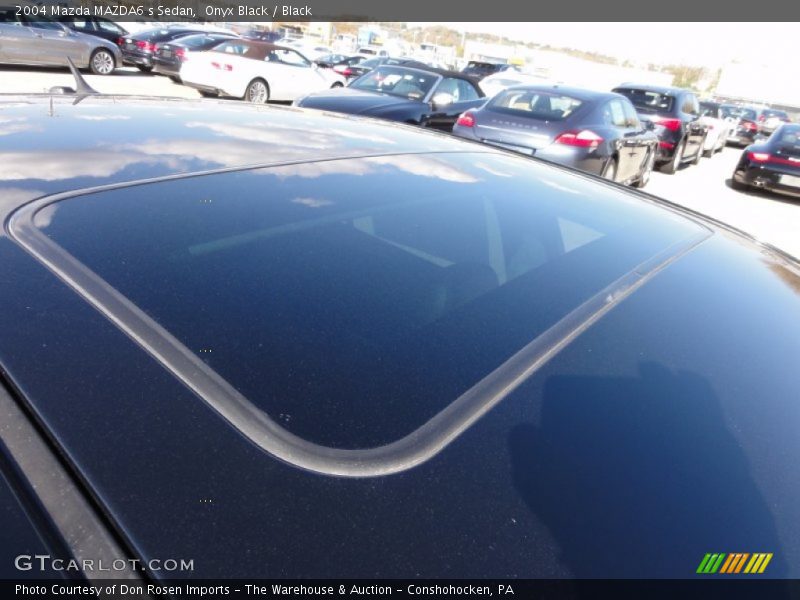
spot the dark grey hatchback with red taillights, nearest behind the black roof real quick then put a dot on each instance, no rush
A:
(592, 131)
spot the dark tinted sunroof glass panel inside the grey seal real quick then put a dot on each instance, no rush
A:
(352, 300)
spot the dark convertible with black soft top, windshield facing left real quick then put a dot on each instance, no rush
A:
(420, 96)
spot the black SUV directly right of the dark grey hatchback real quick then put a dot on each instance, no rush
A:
(675, 113)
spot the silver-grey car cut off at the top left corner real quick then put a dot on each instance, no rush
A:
(45, 42)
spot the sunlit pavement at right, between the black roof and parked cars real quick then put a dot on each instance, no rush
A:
(770, 218)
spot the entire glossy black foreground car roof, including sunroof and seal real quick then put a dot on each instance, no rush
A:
(283, 343)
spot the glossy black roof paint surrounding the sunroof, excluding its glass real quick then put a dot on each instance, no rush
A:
(664, 431)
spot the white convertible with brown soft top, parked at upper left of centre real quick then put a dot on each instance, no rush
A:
(256, 72)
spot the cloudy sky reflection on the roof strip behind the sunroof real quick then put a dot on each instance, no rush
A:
(101, 140)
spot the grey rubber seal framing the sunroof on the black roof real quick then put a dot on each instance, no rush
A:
(405, 453)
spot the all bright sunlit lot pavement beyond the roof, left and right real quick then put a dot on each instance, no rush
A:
(704, 188)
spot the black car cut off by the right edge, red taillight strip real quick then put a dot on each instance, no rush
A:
(773, 164)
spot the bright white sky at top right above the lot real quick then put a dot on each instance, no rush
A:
(701, 44)
